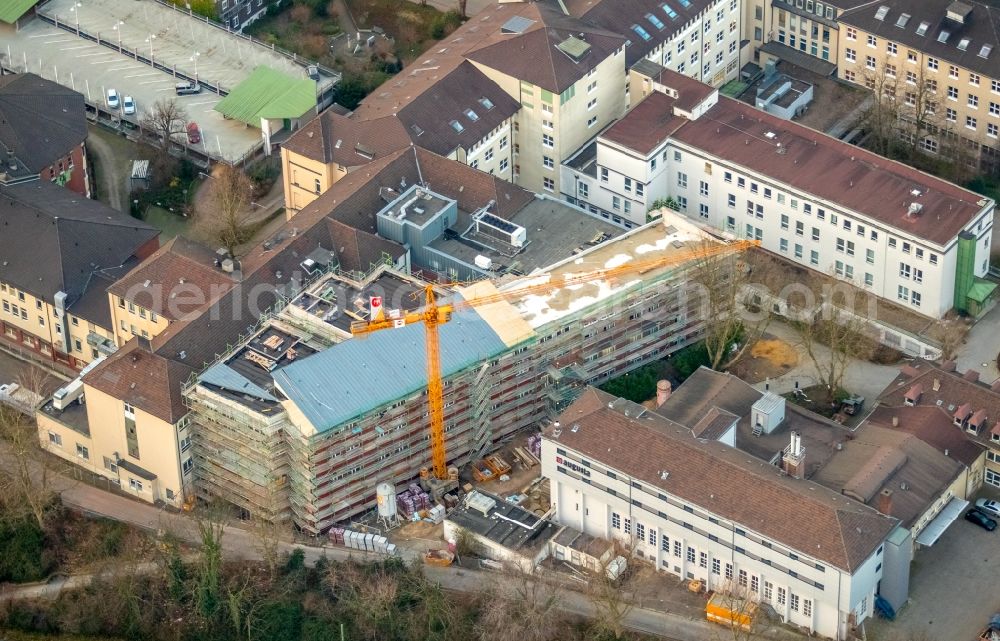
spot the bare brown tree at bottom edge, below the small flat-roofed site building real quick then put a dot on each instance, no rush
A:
(520, 607)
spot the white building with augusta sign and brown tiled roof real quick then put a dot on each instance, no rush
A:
(700, 509)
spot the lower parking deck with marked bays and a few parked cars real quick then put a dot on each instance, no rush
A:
(92, 69)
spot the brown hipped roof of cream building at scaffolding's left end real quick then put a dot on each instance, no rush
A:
(138, 376)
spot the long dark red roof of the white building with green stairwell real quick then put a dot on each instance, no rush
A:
(832, 170)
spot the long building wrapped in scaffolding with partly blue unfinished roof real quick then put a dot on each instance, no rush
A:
(301, 421)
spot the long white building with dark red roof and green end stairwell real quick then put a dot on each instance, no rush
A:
(904, 235)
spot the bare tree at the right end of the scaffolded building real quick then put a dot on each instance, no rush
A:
(733, 312)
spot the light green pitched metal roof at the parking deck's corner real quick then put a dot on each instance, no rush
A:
(268, 94)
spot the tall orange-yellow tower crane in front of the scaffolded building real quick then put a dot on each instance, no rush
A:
(433, 315)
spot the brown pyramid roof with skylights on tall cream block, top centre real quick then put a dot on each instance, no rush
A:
(533, 55)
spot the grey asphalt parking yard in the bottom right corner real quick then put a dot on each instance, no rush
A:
(953, 584)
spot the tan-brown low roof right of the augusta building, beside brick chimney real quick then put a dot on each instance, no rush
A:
(925, 472)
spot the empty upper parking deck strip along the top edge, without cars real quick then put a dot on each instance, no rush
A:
(174, 39)
